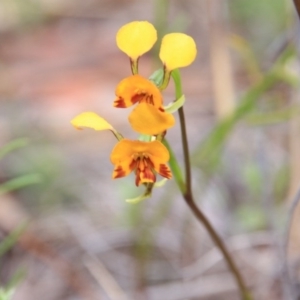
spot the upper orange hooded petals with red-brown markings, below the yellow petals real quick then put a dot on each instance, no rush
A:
(136, 88)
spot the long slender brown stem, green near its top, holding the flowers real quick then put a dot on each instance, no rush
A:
(188, 196)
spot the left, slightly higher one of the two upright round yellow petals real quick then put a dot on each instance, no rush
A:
(136, 38)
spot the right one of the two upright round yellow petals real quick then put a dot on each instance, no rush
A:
(177, 50)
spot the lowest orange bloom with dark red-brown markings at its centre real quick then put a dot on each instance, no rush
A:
(144, 158)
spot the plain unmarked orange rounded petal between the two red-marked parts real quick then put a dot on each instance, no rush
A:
(147, 119)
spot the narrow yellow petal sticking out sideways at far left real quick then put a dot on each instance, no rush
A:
(90, 120)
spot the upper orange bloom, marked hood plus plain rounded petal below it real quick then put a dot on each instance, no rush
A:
(148, 117)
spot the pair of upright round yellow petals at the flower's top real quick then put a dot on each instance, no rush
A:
(136, 38)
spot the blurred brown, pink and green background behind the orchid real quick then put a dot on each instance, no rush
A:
(66, 231)
